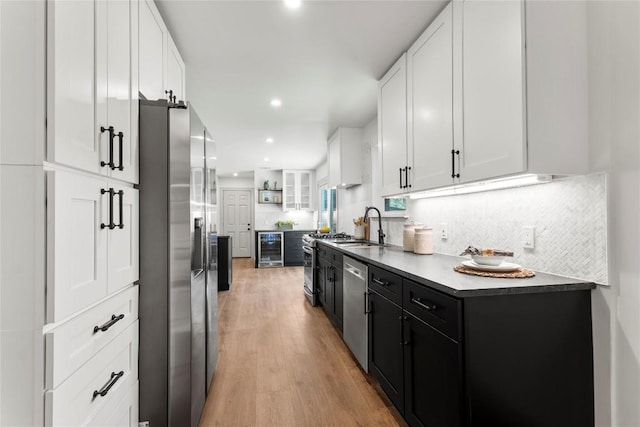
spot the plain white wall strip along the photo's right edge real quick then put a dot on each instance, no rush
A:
(614, 113)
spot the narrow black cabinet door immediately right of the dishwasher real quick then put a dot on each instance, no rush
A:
(386, 347)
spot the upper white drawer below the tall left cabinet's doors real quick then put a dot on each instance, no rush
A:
(71, 344)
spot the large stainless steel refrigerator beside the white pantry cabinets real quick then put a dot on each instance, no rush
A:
(178, 281)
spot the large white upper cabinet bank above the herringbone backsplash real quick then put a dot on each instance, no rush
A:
(492, 90)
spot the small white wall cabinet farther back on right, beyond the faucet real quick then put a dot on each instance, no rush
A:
(345, 158)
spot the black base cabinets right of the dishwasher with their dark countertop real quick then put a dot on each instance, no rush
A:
(451, 349)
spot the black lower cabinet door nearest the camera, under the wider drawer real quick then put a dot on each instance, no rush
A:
(432, 376)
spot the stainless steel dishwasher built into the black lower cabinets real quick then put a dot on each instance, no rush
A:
(354, 293)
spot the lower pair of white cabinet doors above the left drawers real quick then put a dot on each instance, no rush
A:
(92, 241)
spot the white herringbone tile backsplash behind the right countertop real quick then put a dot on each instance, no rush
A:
(569, 216)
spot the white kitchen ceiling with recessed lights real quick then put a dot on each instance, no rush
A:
(322, 60)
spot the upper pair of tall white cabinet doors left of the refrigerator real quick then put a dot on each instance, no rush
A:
(93, 91)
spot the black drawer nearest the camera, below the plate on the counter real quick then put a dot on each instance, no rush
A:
(440, 311)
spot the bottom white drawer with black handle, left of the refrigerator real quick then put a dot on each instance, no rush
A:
(113, 371)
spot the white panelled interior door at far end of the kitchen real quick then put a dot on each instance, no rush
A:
(236, 205)
